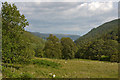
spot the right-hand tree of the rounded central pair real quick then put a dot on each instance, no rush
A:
(68, 48)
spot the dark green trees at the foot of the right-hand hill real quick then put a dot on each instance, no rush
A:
(105, 50)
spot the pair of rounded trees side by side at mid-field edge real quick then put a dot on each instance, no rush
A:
(59, 49)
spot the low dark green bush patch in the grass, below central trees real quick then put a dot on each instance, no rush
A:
(46, 63)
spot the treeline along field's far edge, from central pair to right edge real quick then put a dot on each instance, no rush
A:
(104, 48)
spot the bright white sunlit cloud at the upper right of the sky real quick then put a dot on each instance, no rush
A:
(90, 9)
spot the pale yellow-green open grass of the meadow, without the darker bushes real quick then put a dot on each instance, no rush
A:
(76, 68)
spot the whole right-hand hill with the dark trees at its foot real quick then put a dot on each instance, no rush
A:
(99, 42)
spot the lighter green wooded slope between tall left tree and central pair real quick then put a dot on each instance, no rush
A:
(36, 43)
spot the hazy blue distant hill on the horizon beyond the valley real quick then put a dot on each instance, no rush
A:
(45, 35)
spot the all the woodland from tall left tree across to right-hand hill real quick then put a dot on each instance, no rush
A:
(20, 46)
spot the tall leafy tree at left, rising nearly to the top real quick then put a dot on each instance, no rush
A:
(15, 47)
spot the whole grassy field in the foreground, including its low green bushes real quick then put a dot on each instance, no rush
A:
(76, 68)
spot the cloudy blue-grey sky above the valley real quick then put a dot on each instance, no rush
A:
(67, 17)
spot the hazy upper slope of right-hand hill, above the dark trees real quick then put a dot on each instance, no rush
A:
(95, 33)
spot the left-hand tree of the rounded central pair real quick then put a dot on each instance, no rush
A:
(52, 47)
